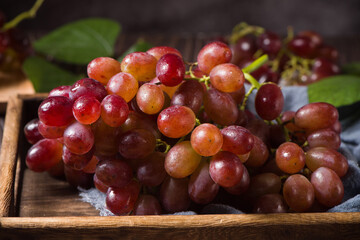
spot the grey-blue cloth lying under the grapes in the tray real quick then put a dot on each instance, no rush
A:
(295, 97)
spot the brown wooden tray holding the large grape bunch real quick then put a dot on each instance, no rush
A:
(35, 206)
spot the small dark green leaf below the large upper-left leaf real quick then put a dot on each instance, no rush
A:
(46, 76)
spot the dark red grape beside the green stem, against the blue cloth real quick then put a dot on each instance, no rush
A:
(269, 101)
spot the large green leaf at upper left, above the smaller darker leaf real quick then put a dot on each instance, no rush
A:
(81, 41)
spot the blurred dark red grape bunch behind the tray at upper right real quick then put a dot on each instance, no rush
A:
(296, 60)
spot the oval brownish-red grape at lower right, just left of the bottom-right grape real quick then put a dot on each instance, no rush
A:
(298, 193)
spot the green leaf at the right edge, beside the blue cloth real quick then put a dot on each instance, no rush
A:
(338, 90)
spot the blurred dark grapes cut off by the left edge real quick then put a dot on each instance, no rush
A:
(15, 46)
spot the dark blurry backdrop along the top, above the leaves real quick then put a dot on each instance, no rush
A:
(328, 17)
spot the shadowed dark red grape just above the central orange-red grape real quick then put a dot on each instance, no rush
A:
(189, 94)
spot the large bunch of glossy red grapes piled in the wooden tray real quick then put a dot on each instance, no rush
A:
(158, 134)
